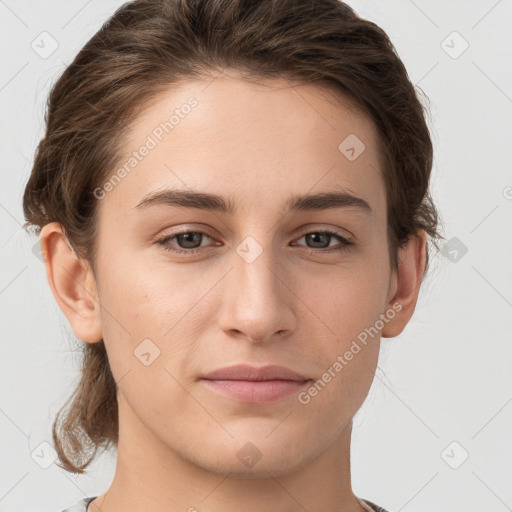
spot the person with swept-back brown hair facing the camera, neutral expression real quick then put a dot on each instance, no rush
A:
(232, 199)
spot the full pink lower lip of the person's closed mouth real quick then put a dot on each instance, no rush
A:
(256, 391)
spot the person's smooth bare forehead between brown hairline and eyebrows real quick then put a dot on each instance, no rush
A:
(248, 141)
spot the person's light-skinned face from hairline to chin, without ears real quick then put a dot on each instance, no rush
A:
(185, 289)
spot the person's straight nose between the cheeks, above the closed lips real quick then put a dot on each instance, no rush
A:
(258, 299)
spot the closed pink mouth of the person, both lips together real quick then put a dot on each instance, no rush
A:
(250, 384)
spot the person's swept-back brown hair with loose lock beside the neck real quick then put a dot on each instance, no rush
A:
(141, 50)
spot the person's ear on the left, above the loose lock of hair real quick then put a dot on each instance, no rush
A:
(72, 283)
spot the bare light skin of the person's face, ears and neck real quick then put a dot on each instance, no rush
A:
(258, 144)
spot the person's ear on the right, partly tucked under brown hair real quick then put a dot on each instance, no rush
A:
(406, 283)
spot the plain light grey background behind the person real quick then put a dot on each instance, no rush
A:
(444, 386)
